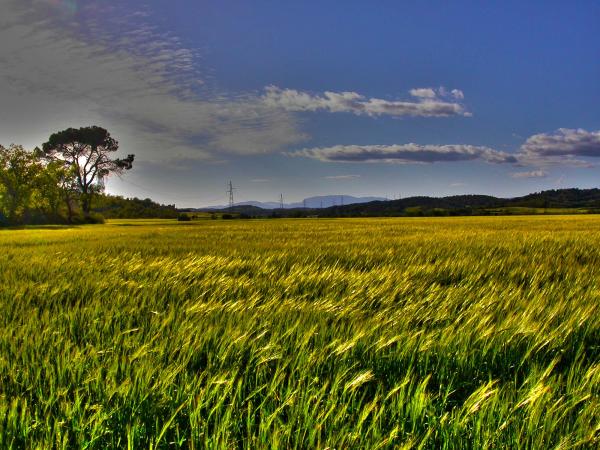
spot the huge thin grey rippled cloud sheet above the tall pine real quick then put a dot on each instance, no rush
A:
(102, 63)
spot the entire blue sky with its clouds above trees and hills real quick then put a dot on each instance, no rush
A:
(313, 98)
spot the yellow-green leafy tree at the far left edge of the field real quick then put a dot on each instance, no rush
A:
(20, 172)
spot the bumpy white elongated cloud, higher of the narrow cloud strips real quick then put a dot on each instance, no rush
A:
(427, 103)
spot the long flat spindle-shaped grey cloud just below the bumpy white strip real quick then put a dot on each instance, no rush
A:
(406, 154)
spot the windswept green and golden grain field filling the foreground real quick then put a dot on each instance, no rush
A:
(436, 333)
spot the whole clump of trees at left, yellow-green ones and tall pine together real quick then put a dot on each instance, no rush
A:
(58, 182)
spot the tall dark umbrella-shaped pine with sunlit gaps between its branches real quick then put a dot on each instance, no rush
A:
(87, 152)
